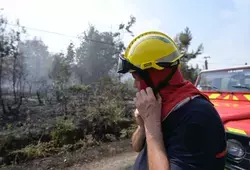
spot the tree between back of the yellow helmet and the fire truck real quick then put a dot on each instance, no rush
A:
(183, 41)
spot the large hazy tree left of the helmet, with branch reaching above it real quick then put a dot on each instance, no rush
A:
(98, 52)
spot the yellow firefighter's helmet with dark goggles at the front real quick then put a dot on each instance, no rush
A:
(149, 50)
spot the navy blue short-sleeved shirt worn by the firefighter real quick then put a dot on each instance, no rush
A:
(193, 136)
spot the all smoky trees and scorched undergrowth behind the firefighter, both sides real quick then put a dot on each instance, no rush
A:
(57, 103)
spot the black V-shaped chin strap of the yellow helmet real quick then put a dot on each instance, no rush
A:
(144, 74)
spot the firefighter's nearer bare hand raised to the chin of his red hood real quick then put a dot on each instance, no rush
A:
(149, 108)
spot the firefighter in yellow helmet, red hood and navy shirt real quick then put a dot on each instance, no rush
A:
(178, 127)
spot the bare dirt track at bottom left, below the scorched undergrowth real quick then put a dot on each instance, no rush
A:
(115, 156)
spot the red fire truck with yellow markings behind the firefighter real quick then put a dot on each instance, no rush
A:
(229, 91)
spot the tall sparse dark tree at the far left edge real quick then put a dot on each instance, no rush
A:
(11, 64)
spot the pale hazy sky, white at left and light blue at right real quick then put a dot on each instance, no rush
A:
(223, 26)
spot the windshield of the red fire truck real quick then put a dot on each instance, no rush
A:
(226, 80)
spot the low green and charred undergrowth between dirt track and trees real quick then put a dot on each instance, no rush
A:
(95, 114)
